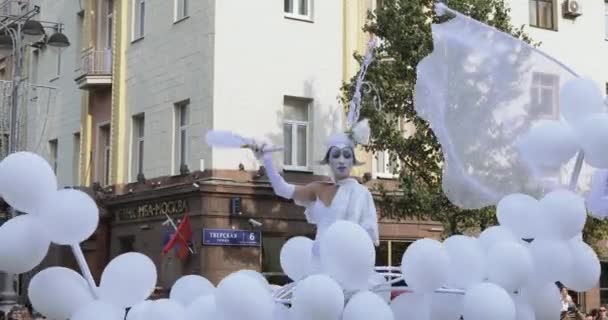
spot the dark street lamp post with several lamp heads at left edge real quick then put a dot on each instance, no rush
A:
(15, 33)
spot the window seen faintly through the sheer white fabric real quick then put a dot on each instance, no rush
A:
(545, 94)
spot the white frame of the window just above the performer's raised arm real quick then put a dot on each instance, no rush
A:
(294, 166)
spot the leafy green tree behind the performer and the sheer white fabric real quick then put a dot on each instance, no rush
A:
(405, 29)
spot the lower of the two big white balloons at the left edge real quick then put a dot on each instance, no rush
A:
(24, 244)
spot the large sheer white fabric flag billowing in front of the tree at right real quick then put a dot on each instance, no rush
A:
(480, 92)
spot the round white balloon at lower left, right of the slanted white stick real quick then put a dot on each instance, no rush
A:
(128, 279)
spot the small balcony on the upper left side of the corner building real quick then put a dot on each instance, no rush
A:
(95, 69)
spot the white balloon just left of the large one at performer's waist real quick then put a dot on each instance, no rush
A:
(296, 257)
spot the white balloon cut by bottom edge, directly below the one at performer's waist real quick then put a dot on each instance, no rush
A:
(366, 305)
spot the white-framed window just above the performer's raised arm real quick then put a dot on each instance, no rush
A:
(295, 132)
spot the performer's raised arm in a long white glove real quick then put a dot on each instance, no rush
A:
(301, 194)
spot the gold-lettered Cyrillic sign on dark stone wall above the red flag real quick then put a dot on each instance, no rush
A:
(152, 210)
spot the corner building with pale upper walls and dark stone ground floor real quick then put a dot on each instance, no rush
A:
(142, 83)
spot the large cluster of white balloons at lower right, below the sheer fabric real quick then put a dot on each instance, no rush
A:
(501, 275)
